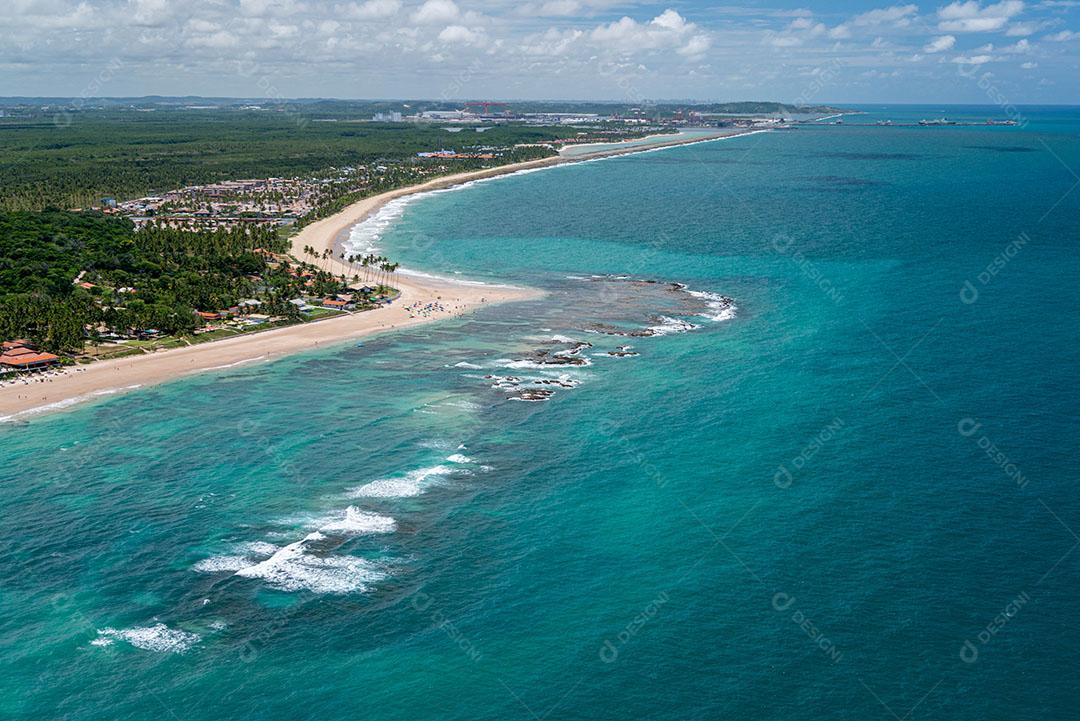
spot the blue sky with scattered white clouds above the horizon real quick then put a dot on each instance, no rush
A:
(846, 51)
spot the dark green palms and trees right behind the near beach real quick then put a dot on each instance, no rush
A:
(156, 278)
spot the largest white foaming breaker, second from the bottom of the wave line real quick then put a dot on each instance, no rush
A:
(293, 569)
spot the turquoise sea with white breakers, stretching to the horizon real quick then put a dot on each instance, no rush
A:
(788, 514)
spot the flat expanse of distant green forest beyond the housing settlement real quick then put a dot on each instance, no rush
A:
(89, 156)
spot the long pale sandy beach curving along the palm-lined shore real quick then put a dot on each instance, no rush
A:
(57, 390)
